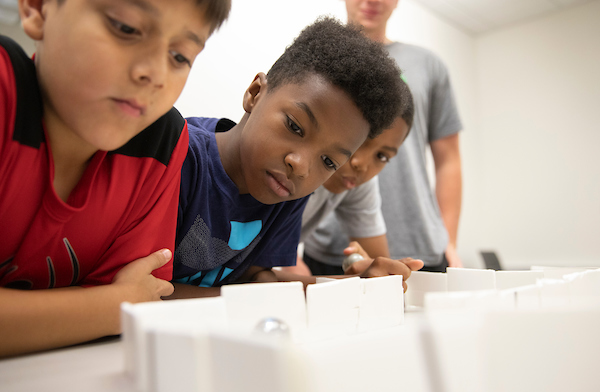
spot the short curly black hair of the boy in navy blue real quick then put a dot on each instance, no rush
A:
(345, 57)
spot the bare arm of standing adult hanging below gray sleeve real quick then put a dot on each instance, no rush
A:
(448, 184)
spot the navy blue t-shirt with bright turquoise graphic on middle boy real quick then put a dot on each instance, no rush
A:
(220, 233)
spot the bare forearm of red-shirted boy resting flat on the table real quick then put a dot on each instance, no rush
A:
(44, 319)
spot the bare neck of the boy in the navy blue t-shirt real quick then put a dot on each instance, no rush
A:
(228, 144)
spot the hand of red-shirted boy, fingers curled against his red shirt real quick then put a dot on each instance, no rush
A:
(138, 282)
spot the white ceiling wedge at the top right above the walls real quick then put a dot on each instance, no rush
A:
(480, 16)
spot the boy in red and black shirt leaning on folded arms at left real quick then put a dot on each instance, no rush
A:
(90, 157)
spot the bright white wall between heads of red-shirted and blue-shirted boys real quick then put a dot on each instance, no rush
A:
(255, 35)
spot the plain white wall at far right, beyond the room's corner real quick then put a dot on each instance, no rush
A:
(539, 90)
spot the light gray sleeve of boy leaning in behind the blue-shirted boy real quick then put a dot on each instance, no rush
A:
(360, 213)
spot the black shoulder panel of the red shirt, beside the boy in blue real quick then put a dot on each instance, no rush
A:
(159, 140)
